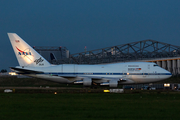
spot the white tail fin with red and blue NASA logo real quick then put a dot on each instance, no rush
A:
(25, 54)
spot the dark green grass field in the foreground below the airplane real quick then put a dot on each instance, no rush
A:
(89, 106)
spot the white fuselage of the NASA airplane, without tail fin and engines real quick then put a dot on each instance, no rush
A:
(131, 72)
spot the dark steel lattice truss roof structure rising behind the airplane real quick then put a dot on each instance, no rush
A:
(135, 51)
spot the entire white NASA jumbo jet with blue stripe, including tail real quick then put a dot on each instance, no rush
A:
(34, 65)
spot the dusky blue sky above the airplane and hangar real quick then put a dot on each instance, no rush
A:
(92, 23)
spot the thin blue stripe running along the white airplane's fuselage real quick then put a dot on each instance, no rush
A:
(54, 73)
